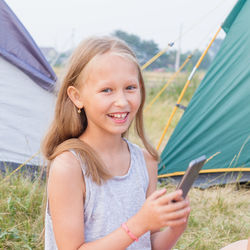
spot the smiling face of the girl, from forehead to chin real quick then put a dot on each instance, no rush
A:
(111, 94)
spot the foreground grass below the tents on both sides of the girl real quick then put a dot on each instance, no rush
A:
(219, 215)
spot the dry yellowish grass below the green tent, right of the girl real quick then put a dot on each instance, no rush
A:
(219, 216)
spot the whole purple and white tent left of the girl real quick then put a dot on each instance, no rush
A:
(26, 92)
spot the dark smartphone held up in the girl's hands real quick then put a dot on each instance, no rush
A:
(190, 175)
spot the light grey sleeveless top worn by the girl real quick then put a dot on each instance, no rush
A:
(107, 206)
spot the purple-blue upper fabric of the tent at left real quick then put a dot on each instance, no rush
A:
(18, 47)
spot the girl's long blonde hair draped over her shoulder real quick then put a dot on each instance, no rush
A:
(68, 124)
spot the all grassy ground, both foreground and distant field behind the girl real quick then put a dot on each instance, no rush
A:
(219, 215)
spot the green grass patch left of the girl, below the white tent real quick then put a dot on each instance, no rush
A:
(21, 218)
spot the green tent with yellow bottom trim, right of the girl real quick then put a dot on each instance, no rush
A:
(217, 119)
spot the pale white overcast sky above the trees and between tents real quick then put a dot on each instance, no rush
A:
(63, 24)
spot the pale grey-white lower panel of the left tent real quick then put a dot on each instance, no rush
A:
(26, 110)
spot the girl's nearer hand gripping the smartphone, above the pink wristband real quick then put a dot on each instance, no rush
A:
(159, 210)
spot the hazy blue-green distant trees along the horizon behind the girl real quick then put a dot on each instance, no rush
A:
(145, 50)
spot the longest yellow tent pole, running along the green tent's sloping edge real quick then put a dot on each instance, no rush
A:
(186, 86)
